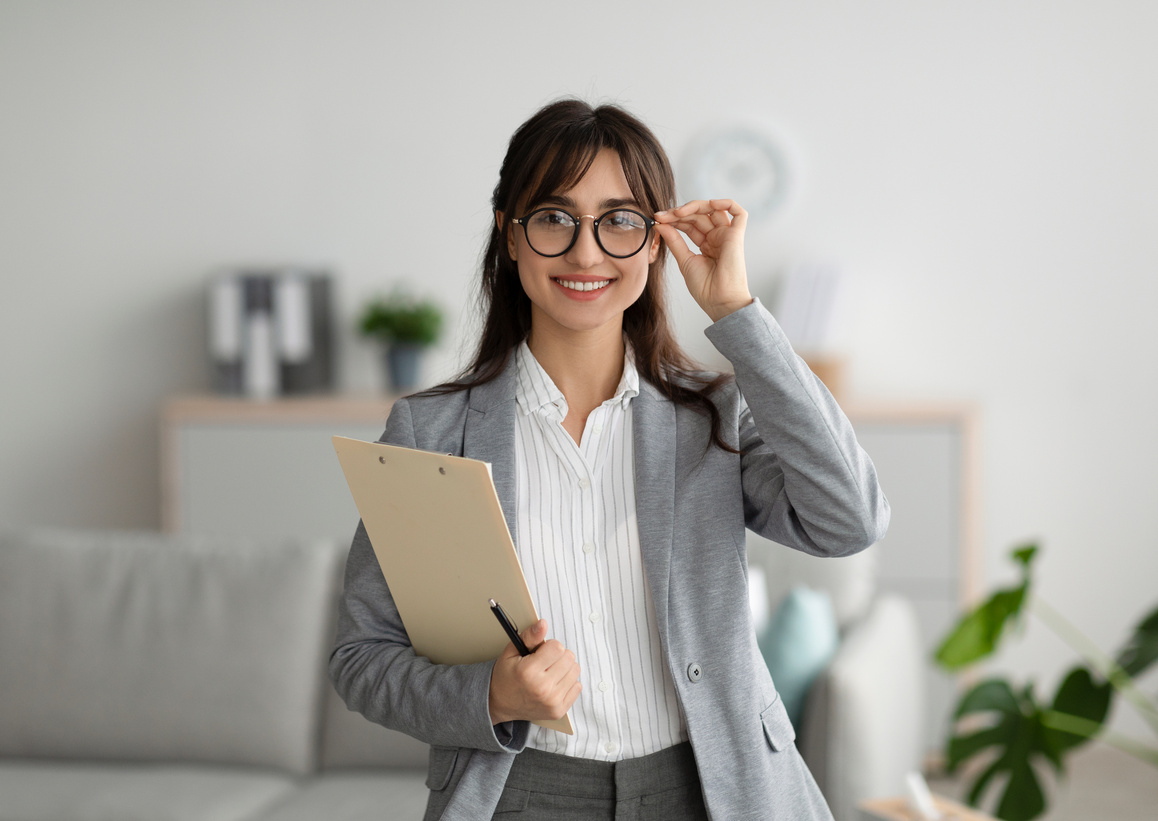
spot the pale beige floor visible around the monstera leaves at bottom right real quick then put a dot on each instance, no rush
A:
(1103, 785)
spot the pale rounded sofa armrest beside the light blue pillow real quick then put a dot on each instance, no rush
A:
(862, 729)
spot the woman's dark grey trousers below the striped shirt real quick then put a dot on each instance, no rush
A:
(663, 787)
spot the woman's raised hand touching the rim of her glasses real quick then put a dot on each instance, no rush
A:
(716, 277)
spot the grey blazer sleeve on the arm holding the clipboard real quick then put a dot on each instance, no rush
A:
(377, 671)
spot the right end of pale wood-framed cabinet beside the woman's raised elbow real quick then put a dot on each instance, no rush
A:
(922, 464)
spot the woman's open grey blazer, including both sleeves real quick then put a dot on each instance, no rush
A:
(801, 480)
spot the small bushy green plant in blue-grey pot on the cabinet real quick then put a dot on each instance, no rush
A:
(407, 327)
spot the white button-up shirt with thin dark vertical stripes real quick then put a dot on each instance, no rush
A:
(578, 543)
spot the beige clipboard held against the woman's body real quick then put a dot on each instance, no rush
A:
(439, 534)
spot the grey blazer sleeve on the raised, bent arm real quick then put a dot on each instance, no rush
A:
(808, 483)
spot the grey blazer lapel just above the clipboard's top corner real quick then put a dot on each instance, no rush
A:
(489, 435)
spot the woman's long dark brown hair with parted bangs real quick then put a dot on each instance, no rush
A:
(548, 155)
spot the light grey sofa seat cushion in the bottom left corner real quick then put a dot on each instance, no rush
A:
(62, 791)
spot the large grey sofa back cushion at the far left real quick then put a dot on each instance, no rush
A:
(138, 647)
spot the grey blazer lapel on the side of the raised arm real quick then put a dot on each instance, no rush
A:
(654, 439)
